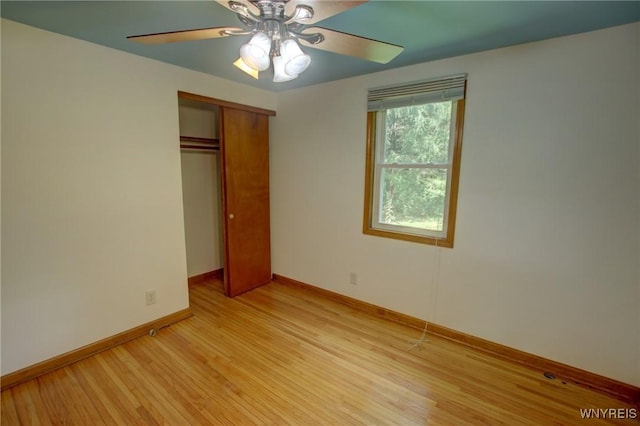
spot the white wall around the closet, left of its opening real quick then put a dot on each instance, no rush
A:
(91, 190)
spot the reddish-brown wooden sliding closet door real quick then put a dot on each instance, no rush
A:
(244, 148)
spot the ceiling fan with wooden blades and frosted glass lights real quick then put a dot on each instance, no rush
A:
(276, 27)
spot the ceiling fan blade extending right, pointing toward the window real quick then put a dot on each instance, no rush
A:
(352, 45)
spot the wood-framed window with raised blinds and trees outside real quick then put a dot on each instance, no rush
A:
(414, 138)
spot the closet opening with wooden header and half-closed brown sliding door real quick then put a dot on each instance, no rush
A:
(225, 172)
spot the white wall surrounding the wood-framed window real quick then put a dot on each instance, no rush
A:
(547, 248)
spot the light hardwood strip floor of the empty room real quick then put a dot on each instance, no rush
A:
(279, 355)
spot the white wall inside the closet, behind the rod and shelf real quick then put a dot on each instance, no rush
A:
(201, 192)
